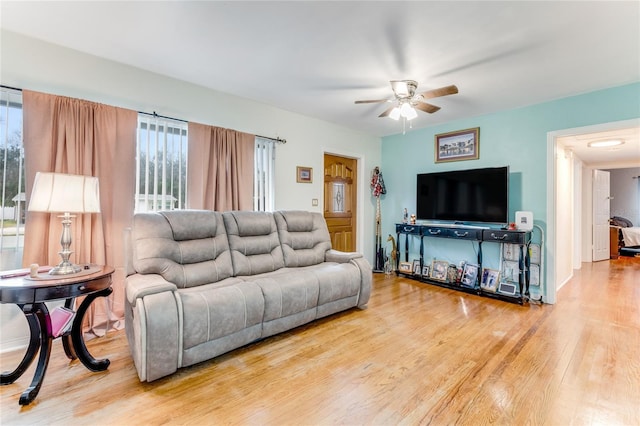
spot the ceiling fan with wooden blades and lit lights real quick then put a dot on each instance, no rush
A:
(407, 100)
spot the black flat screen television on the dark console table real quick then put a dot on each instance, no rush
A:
(465, 196)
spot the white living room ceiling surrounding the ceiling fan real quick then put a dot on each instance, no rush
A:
(317, 58)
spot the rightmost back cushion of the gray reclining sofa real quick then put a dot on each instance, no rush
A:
(304, 237)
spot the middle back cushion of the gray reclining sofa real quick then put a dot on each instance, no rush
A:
(253, 240)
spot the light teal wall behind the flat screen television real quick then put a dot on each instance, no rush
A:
(517, 138)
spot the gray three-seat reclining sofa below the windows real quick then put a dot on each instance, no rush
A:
(202, 283)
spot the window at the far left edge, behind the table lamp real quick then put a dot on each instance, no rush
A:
(12, 204)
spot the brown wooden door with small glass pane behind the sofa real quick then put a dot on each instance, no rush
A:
(340, 200)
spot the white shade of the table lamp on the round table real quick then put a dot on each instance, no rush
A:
(58, 192)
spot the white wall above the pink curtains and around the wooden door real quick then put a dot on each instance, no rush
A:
(32, 64)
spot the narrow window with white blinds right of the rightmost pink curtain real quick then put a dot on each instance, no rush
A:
(263, 175)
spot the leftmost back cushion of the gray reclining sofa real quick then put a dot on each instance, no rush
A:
(186, 247)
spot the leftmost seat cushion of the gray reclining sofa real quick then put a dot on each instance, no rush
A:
(216, 310)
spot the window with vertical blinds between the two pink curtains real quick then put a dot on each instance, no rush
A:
(161, 164)
